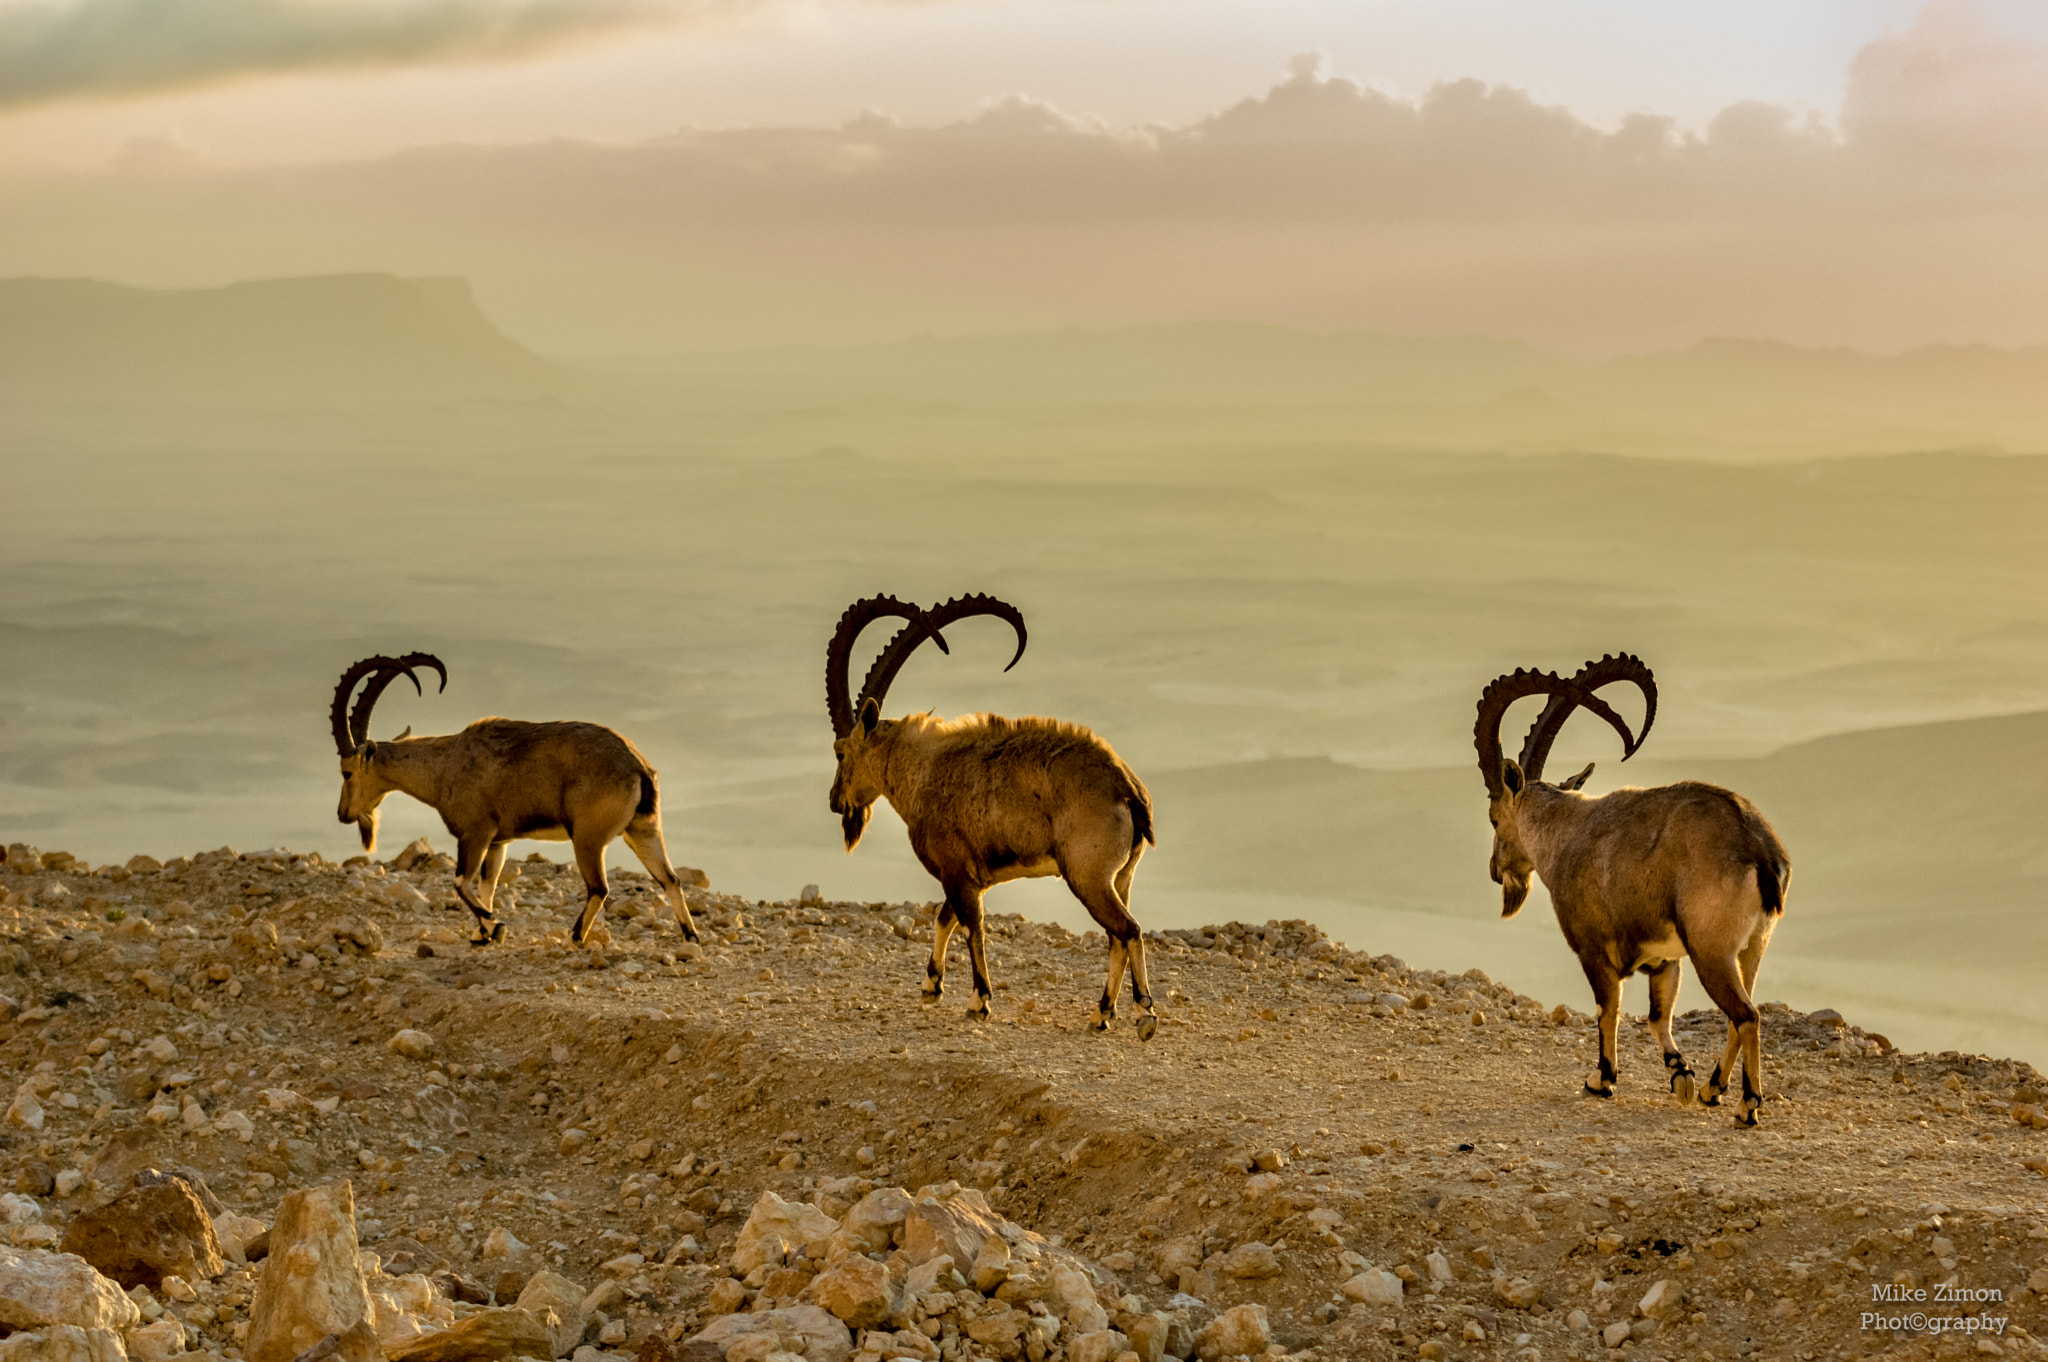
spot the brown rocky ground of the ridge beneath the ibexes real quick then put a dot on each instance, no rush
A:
(1375, 1162)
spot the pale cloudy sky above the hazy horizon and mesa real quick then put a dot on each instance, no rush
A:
(644, 175)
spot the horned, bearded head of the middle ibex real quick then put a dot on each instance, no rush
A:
(861, 734)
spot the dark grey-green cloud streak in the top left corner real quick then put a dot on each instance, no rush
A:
(58, 50)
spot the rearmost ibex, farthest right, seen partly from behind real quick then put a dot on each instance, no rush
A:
(1639, 878)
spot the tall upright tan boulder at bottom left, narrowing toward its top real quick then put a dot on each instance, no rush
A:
(312, 1285)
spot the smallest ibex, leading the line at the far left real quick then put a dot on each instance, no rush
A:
(499, 781)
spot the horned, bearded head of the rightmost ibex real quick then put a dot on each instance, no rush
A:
(1508, 781)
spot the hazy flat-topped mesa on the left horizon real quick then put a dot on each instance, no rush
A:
(337, 339)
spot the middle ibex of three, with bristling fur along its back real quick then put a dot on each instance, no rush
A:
(990, 800)
